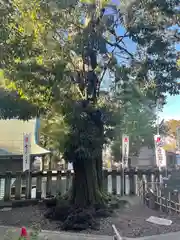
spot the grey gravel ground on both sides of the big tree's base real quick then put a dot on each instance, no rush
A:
(129, 221)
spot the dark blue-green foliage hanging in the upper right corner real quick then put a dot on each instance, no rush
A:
(150, 26)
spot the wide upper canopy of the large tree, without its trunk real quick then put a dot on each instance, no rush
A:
(42, 45)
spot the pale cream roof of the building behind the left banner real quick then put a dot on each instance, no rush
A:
(11, 137)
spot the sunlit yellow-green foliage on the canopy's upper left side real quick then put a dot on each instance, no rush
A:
(36, 63)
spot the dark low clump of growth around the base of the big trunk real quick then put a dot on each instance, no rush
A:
(77, 218)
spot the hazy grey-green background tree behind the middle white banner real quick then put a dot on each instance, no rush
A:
(139, 124)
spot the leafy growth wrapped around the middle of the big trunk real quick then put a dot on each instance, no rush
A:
(57, 131)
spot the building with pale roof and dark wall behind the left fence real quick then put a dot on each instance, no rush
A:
(11, 145)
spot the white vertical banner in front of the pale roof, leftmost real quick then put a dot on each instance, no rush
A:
(26, 152)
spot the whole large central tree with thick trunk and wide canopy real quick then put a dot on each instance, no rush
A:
(58, 56)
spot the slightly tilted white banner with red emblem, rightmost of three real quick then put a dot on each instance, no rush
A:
(159, 152)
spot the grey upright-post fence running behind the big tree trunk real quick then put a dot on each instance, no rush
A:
(38, 185)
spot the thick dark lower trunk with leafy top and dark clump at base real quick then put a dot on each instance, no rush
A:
(78, 209)
